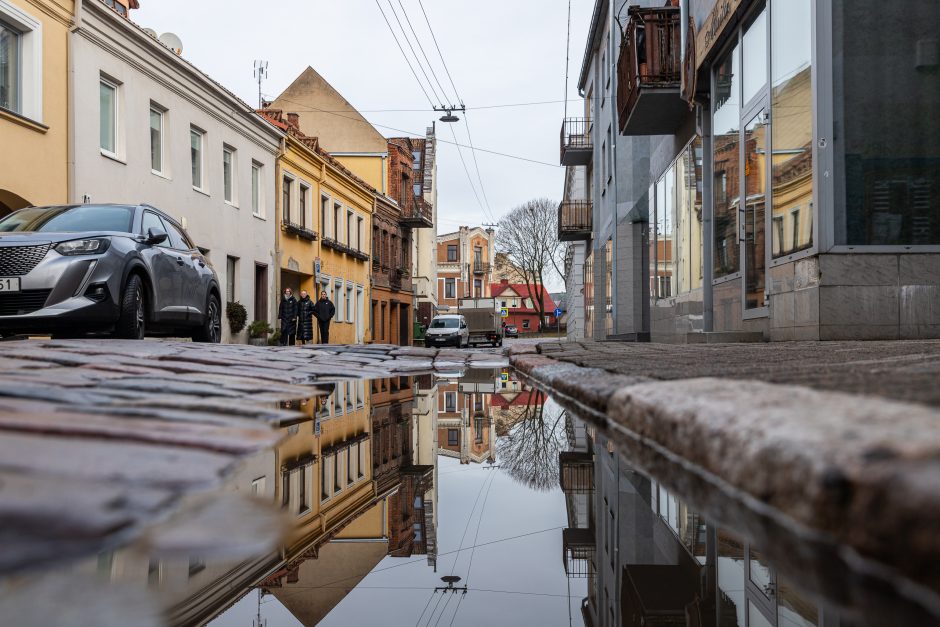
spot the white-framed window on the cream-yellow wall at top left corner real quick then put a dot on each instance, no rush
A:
(20, 62)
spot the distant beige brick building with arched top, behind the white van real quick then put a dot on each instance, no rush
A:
(465, 261)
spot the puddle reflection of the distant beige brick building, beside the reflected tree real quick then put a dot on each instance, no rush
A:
(465, 428)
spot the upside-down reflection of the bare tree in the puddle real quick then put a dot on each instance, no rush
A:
(529, 451)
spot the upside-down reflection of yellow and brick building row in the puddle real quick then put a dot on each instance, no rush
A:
(351, 474)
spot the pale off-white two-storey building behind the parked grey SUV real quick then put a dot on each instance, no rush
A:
(148, 127)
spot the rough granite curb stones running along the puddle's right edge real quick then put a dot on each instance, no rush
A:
(868, 475)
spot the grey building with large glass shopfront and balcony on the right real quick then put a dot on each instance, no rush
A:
(785, 187)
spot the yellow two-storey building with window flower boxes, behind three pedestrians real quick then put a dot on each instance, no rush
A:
(325, 213)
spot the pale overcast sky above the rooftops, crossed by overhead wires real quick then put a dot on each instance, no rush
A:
(498, 52)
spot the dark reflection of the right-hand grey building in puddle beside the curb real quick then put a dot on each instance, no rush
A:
(650, 560)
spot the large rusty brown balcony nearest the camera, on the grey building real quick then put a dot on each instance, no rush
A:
(649, 73)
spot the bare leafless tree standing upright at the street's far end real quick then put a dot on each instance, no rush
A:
(528, 237)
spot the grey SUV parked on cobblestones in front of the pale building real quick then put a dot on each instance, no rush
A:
(129, 270)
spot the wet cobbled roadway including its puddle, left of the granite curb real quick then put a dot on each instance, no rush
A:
(452, 496)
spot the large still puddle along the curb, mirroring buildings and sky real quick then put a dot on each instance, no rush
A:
(455, 499)
